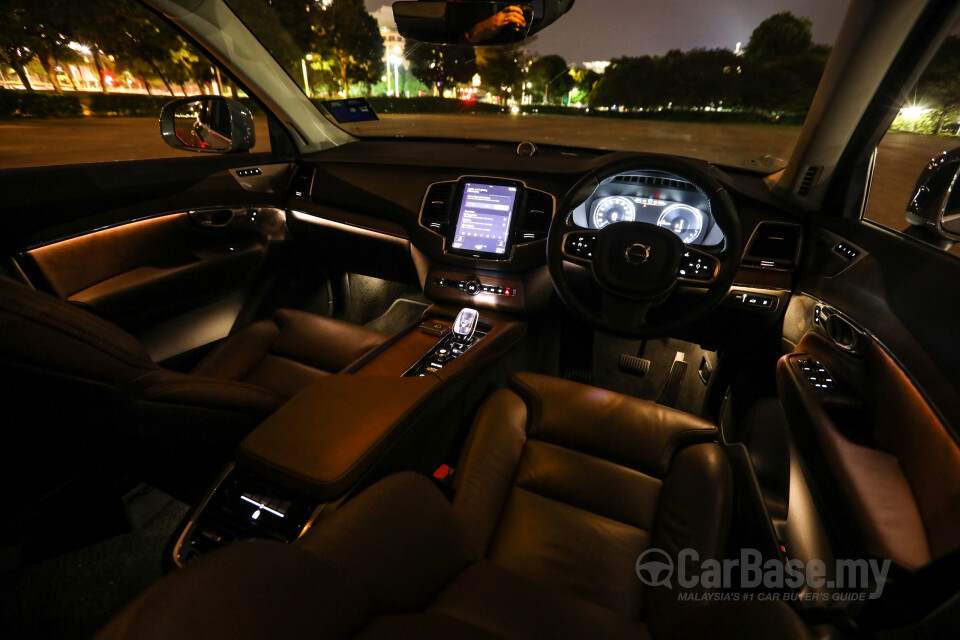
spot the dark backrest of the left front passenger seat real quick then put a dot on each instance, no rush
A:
(79, 390)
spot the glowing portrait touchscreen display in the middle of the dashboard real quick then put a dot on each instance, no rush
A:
(483, 224)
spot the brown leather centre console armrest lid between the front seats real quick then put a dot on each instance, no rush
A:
(324, 439)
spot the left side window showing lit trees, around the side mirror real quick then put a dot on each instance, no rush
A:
(85, 82)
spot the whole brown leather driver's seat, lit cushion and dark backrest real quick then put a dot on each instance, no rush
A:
(561, 488)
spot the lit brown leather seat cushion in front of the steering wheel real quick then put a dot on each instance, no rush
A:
(568, 485)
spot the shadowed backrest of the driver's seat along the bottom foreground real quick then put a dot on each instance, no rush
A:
(395, 563)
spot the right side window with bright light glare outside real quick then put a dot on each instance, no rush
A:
(927, 127)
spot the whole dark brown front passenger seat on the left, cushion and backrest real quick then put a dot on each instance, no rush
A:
(80, 385)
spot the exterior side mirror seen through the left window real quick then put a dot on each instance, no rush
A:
(208, 124)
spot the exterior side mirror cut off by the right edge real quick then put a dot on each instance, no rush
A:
(935, 206)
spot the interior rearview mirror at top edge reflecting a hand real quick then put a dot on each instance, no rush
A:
(476, 22)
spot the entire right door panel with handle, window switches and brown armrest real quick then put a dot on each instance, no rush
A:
(879, 436)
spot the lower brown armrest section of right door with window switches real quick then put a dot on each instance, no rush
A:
(876, 449)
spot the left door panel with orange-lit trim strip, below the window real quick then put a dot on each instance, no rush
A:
(159, 246)
